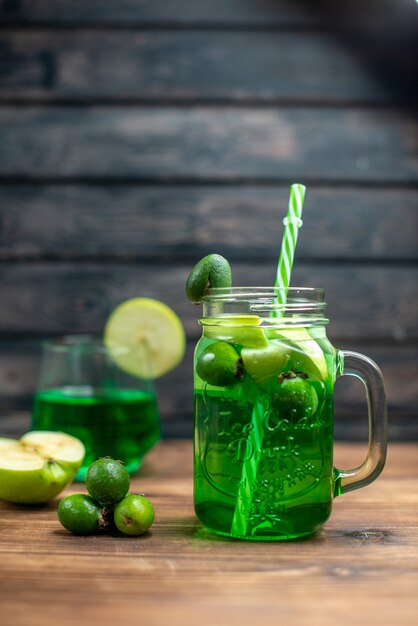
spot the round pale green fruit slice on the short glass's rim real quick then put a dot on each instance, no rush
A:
(145, 337)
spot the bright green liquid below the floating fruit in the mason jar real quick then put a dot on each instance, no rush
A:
(292, 492)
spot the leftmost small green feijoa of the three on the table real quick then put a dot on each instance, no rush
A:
(81, 514)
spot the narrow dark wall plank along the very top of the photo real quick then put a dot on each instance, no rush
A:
(199, 13)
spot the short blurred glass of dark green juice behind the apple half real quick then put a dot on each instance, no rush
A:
(82, 391)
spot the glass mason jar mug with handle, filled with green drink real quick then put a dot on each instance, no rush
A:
(264, 385)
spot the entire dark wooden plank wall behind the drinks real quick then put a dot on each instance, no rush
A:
(137, 136)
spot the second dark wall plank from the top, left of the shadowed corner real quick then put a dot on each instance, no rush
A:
(146, 66)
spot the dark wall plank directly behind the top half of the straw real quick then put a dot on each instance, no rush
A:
(83, 223)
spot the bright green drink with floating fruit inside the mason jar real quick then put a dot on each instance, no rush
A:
(291, 488)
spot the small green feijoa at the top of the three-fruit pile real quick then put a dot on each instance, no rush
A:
(107, 481)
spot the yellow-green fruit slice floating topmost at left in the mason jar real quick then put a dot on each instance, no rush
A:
(238, 329)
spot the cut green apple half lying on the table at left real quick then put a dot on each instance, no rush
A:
(37, 467)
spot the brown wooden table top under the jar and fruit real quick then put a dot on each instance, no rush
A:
(361, 568)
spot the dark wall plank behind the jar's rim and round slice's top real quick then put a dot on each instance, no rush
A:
(66, 296)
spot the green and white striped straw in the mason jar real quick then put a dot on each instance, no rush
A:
(292, 222)
